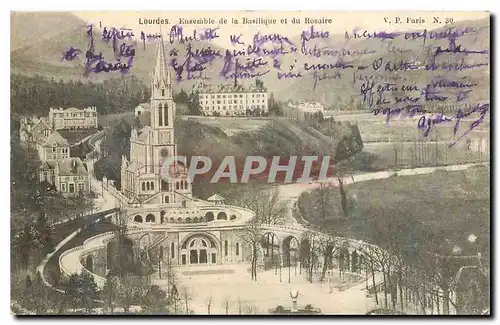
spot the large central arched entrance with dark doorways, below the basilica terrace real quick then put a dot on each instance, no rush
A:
(199, 249)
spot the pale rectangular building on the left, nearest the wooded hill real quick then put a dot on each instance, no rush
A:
(73, 118)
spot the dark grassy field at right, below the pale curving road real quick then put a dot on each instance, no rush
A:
(454, 204)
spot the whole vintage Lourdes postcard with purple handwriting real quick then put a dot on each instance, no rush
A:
(250, 163)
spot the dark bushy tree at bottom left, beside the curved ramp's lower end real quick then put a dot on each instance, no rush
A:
(81, 289)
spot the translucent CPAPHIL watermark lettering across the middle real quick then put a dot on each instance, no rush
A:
(233, 169)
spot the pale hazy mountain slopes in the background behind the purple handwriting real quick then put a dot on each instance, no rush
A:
(40, 52)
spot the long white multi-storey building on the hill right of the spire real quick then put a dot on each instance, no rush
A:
(230, 101)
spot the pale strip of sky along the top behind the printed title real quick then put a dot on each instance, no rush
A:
(341, 21)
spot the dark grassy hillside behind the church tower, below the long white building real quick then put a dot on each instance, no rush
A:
(277, 137)
